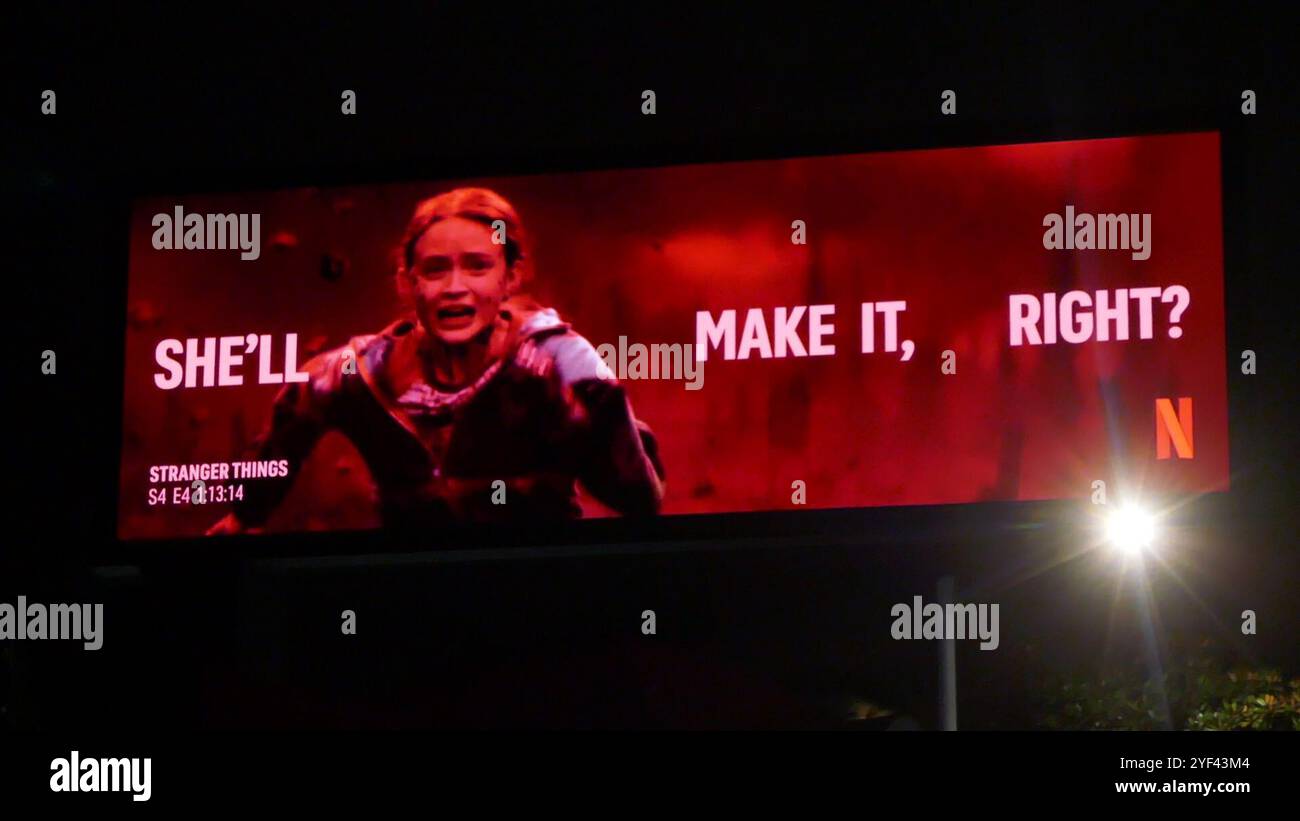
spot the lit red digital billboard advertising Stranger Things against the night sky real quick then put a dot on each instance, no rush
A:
(939, 327)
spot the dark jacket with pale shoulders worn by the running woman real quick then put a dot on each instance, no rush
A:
(545, 415)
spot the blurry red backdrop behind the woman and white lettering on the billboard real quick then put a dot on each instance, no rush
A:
(639, 253)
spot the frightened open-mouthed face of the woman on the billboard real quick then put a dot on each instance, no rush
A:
(460, 280)
